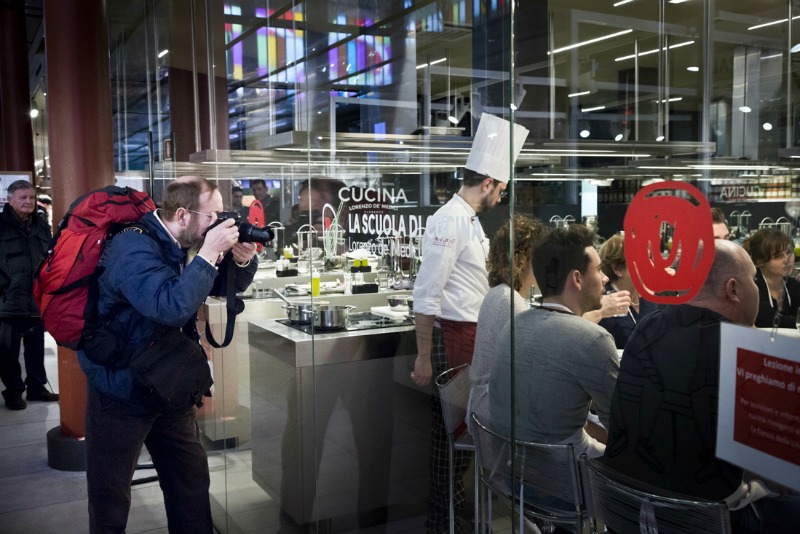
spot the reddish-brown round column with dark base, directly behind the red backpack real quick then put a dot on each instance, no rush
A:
(82, 159)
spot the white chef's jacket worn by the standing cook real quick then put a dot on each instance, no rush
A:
(452, 279)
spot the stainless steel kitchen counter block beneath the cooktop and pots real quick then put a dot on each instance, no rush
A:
(338, 428)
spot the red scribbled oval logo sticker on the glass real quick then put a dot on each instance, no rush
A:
(666, 227)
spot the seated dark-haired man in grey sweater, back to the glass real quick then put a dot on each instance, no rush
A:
(563, 363)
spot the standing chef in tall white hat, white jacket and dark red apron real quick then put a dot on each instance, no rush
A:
(448, 292)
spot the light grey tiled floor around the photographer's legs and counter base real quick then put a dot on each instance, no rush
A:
(36, 498)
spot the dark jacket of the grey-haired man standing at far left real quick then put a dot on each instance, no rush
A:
(22, 248)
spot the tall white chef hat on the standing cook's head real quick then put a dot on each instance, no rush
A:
(490, 148)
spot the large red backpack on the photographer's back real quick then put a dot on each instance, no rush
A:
(62, 281)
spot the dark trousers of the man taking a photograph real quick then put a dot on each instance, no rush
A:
(115, 433)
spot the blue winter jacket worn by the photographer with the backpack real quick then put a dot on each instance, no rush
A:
(142, 289)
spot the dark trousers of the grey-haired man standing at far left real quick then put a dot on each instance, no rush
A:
(14, 332)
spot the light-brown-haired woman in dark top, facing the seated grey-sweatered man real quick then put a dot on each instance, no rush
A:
(612, 262)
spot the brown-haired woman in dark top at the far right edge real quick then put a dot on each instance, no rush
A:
(772, 252)
